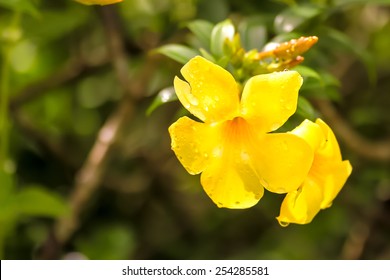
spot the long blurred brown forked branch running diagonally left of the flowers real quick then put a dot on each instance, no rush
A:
(91, 174)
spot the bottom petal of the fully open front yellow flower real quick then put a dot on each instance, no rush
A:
(232, 183)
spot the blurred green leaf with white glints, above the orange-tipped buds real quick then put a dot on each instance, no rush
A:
(294, 17)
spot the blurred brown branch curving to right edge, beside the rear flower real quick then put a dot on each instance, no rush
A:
(379, 151)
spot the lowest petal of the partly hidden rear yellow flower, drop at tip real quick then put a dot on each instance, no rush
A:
(302, 205)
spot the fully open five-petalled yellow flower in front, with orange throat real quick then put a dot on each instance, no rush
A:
(231, 145)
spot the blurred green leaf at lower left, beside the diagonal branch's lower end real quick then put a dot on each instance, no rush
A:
(37, 201)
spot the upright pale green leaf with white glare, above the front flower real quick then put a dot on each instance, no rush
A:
(222, 31)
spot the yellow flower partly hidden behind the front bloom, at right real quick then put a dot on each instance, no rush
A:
(326, 177)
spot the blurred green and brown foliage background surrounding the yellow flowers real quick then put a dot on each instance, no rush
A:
(80, 80)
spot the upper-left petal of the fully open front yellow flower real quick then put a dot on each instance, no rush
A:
(211, 94)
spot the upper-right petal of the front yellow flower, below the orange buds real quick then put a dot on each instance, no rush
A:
(269, 100)
